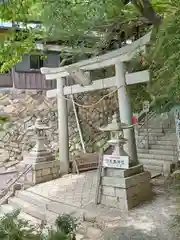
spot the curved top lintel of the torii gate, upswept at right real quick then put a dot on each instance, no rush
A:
(123, 54)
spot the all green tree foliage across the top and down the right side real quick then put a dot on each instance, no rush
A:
(94, 24)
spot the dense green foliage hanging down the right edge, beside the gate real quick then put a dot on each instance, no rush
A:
(164, 56)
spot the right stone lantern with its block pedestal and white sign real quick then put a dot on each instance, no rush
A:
(123, 185)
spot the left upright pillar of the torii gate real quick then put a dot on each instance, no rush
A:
(63, 128)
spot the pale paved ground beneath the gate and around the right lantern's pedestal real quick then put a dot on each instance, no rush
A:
(148, 221)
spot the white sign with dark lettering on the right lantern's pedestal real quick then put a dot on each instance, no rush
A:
(114, 161)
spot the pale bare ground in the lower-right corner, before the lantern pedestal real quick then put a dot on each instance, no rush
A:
(151, 221)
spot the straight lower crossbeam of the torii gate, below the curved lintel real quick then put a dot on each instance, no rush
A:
(131, 78)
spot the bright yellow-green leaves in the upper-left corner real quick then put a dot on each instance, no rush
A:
(14, 43)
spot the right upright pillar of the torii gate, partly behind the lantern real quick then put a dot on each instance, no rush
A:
(125, 111)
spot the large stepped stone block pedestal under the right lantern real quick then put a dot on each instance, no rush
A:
(125, 188)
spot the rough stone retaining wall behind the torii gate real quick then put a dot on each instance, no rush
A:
(25, 106)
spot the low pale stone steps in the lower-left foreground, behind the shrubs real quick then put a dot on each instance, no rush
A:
(39, 210)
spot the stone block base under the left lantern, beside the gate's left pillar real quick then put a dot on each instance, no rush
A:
(45, 171)
